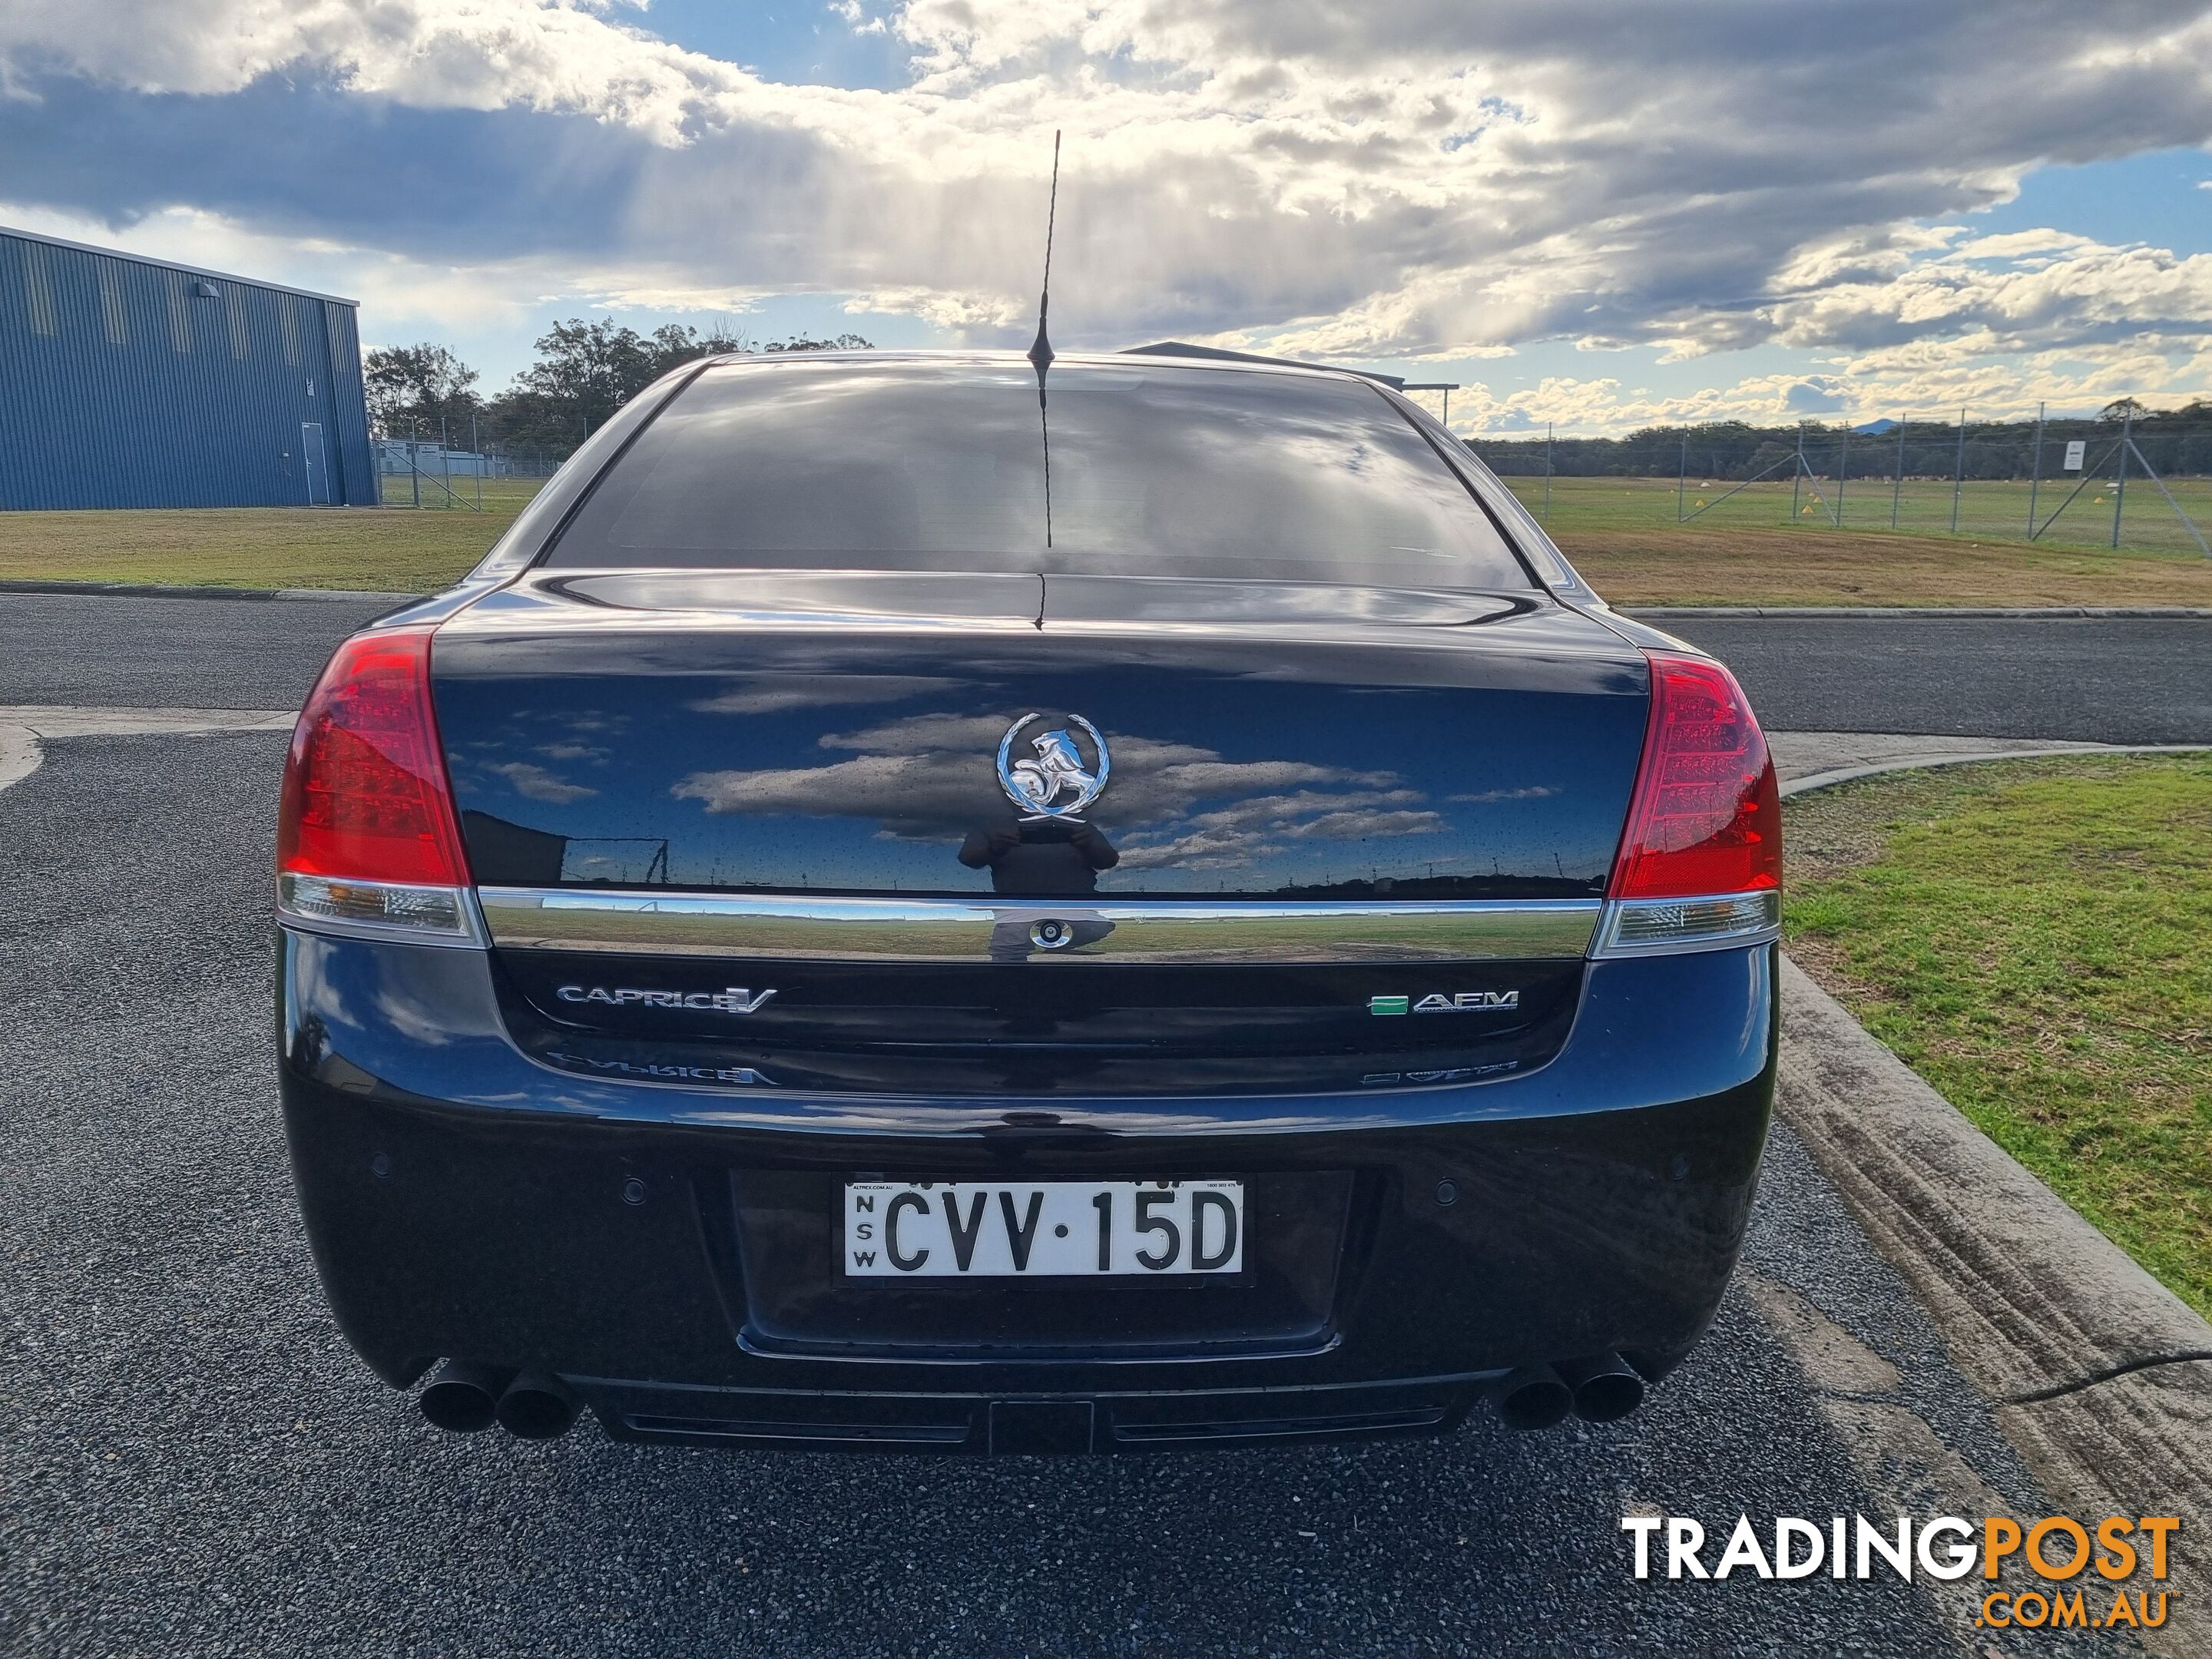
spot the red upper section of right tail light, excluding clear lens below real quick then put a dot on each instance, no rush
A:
(1707, 817)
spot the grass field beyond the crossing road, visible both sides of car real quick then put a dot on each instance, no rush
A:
(1623, 534)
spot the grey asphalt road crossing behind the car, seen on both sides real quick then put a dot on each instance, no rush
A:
(2103, 680)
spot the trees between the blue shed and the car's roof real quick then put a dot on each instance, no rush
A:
(583, 373)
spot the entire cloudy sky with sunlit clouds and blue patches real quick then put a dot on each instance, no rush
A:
(1587, 213)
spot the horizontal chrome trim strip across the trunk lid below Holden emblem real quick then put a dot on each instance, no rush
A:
(957, 930)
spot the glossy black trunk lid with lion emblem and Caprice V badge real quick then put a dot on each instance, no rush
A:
(1023, 835)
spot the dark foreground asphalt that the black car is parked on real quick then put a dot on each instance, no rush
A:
(191, 1461)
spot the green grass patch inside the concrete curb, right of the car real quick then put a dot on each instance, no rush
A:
(2032, 937)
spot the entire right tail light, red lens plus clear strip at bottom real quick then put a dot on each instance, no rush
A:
(1702, 859)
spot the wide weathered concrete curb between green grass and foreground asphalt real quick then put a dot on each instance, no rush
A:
(2098, 1375)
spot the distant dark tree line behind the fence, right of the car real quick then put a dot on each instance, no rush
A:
(2176, 441)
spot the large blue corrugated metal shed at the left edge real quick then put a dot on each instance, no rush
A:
(136, 384)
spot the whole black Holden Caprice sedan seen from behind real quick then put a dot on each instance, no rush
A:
(926, 904)
